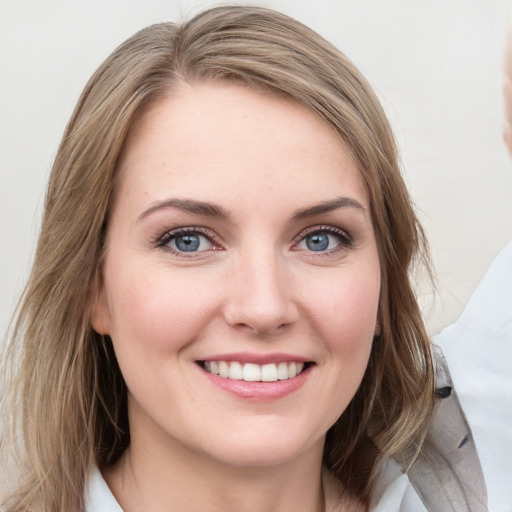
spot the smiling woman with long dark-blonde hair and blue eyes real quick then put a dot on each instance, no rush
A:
(219, 315)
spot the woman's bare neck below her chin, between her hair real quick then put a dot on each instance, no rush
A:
(150, 480)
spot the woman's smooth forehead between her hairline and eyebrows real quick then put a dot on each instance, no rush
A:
(207, 133)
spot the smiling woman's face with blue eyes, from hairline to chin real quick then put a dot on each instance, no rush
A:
(240, 252)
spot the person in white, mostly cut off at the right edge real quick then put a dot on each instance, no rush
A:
(478, 348)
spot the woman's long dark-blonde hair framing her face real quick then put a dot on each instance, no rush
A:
(69, 395)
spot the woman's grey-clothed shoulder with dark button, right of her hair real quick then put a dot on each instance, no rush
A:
(446, 474)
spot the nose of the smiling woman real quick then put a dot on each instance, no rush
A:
(260, 297)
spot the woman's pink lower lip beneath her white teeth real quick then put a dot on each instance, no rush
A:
(262, 391)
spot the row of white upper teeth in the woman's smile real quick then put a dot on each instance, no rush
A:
(251, 372)
